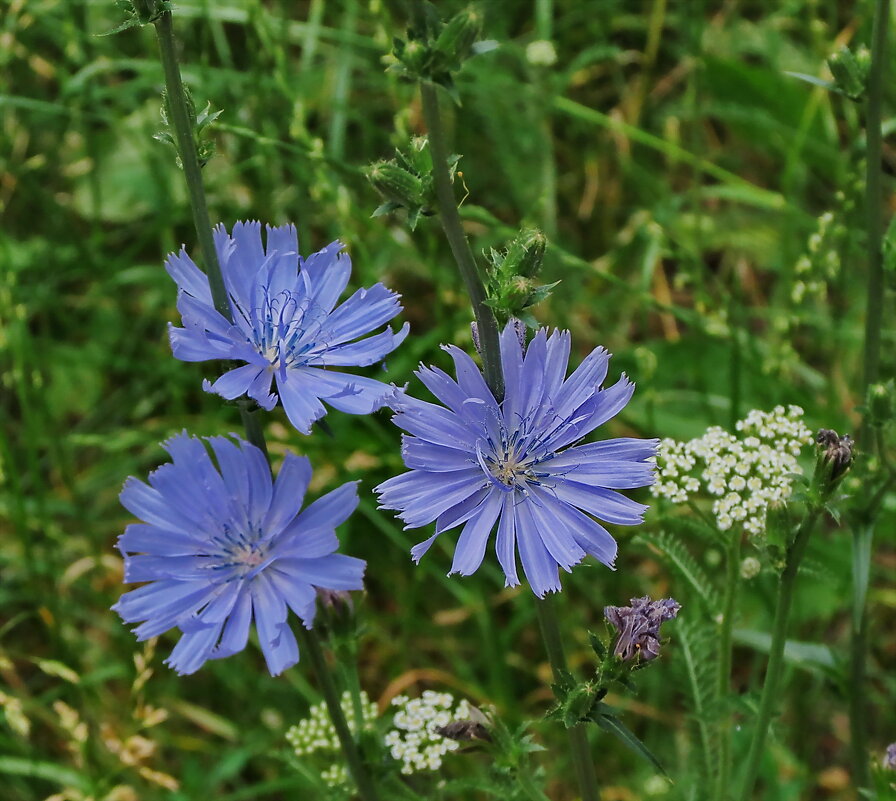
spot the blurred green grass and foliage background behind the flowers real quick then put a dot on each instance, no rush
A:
(678, 173)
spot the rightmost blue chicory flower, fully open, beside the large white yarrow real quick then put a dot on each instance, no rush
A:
(518, 463)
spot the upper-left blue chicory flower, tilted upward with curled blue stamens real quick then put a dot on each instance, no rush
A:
(286, 325)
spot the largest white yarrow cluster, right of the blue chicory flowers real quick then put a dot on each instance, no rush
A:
(747, 473)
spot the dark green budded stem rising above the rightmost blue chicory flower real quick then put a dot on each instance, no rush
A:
(451, 223)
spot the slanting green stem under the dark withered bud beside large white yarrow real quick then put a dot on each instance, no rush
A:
(776, 652)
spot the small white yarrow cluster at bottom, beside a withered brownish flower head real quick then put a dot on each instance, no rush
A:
(414, 740)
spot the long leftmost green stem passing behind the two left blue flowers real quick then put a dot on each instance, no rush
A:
(186, 146)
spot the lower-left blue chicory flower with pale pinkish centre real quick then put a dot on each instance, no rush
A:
(220, 547)
